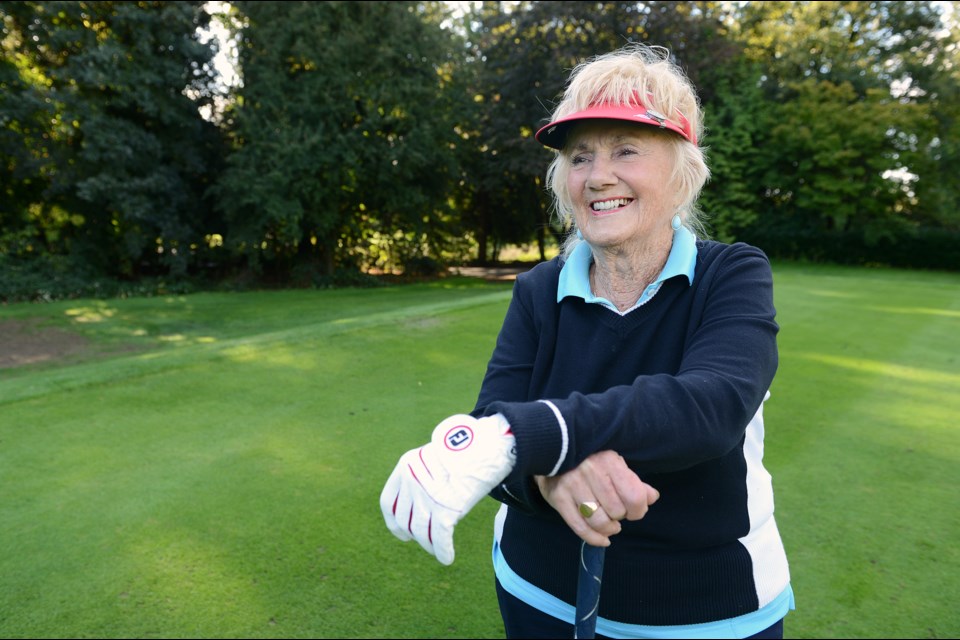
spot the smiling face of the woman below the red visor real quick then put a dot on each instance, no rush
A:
(620, 184)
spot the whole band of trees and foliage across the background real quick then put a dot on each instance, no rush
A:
(397, 135)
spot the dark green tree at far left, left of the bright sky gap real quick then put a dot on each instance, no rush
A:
(125, 156)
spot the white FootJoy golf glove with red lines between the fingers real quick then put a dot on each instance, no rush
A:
(433, 487)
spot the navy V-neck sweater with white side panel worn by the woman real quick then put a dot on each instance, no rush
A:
(672, 387)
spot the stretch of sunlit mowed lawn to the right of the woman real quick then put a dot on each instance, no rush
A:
(864, 450)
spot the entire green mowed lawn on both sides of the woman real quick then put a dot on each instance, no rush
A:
(212, 467)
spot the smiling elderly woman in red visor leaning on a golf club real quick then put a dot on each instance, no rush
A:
(623, 403)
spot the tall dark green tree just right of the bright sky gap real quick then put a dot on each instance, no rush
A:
(344, 139)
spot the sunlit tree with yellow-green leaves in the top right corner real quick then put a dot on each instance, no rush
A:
(857, 141)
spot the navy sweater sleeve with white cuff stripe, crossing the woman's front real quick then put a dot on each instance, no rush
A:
(668, 422)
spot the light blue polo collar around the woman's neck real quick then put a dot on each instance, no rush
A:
(575, 274)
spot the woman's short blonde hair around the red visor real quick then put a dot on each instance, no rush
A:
(620, 77)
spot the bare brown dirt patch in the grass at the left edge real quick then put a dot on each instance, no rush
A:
(24, 342)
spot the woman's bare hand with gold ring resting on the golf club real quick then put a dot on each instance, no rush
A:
(605, 480)
